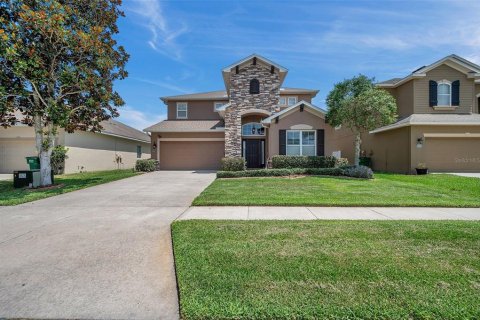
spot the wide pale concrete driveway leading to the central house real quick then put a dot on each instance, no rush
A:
(98, 253)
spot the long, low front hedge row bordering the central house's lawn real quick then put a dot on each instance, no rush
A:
(281, 172)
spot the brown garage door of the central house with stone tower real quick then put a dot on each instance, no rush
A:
(191, 155)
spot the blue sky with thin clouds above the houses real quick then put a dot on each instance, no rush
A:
(180, 46)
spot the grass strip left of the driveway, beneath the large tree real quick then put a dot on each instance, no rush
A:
(10, 196)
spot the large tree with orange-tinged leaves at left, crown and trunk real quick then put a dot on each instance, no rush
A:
(58, 64)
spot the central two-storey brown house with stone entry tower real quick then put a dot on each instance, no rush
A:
(254, 118)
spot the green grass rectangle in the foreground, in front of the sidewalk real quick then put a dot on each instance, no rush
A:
(328, 269)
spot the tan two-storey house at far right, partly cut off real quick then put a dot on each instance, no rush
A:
(439, 121)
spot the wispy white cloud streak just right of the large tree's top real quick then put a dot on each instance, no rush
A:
(163, 35)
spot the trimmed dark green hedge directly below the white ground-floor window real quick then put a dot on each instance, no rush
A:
(289, 162)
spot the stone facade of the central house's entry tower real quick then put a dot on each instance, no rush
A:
(241, 100)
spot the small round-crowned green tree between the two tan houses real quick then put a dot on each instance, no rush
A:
(356, 104)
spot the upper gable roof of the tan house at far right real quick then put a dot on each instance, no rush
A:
(471, 69)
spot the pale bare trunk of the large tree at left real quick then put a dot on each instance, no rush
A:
(44, 143)
